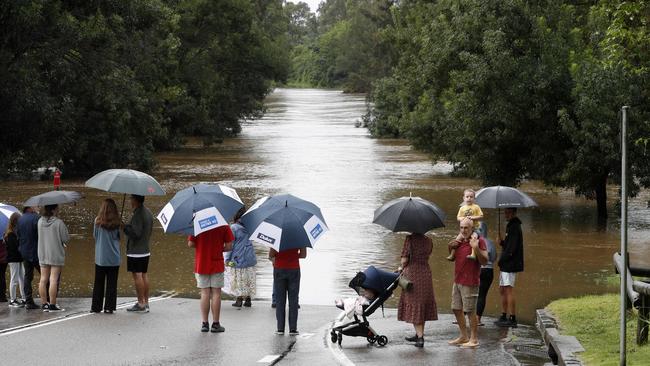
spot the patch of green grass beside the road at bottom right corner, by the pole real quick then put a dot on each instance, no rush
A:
(594, 320)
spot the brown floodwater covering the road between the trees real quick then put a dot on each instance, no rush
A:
(307, 145)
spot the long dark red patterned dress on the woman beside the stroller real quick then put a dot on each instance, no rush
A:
(419, 304)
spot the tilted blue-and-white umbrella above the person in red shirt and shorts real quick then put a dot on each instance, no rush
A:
(199, 208)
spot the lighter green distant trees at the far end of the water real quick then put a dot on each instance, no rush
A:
(345, 47)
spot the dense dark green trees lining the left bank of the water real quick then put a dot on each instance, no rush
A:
(91, 84)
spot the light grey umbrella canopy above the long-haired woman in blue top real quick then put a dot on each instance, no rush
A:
(126, 181)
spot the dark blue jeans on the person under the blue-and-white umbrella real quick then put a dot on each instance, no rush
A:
(286, 282)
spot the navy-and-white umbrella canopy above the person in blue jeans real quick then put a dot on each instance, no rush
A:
(284, 222)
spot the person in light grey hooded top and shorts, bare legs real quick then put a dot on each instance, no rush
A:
(52, 239)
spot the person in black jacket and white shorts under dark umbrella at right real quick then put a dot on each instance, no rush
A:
(511, 262)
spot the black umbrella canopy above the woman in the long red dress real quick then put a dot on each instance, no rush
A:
(411, 214)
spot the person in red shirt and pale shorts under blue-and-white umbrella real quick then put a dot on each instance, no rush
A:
(208, 270)
